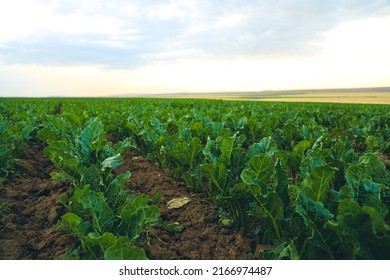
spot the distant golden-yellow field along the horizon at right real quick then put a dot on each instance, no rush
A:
(369, 97)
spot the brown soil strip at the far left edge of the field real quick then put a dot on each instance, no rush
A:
(27, 230)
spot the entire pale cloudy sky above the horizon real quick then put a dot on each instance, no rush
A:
(102, 48)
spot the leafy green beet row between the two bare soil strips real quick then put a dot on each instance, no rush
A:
(106, 219)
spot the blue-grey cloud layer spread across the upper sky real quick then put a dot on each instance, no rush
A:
(123, 34)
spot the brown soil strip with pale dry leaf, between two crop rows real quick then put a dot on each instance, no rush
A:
(203, 236)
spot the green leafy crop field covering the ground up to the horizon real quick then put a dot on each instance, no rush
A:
(299, 180)
